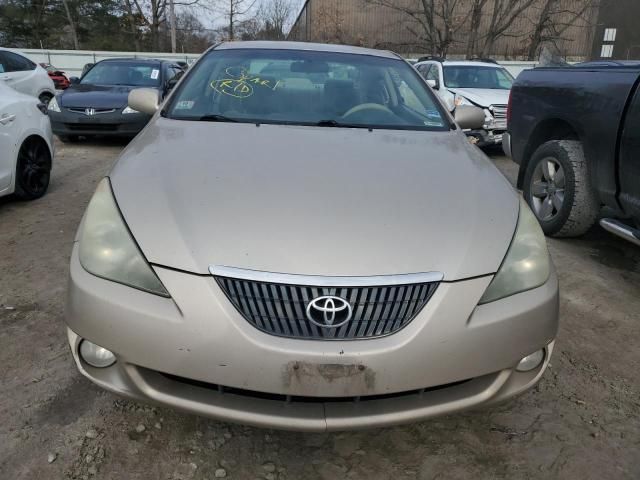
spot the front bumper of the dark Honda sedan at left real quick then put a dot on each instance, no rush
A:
(67, 123)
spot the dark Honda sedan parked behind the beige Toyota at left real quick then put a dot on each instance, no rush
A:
(96, 104)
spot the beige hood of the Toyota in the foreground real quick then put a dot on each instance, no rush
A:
(313, 200)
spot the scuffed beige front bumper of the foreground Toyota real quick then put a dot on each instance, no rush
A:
(195, 352)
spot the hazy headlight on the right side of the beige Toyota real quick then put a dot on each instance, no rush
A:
(526, 264)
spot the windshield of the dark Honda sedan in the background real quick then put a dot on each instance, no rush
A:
(123, 73)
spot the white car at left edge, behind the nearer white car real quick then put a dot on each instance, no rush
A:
(25, 76)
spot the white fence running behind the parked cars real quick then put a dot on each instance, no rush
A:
(72, 61)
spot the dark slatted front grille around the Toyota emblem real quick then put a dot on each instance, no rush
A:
(281, 309)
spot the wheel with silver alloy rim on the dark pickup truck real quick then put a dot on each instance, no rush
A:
(558, 190)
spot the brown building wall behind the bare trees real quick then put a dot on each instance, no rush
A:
(359, 22)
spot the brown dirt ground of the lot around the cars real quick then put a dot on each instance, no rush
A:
(581, 422)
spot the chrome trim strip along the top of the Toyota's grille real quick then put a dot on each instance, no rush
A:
(325, 281)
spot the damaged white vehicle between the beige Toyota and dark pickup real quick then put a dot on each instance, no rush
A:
(482, 84)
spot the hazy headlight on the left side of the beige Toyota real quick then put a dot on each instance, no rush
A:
(108, 250)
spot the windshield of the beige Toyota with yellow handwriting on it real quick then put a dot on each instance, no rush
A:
(306, 88)
